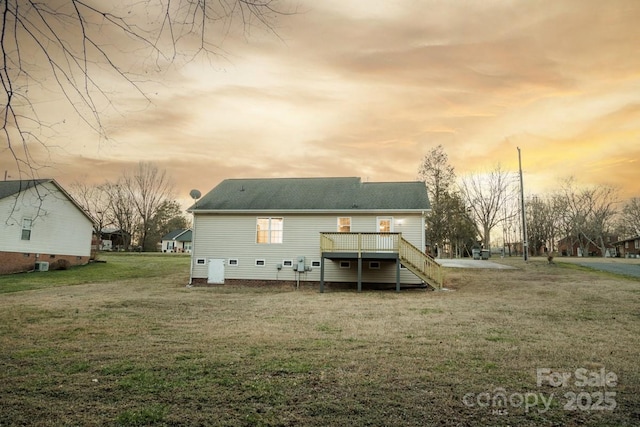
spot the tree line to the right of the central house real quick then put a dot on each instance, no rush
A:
(467, 211)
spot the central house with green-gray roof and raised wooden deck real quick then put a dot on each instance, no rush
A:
(312, 230)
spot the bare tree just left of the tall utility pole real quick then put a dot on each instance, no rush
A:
(486, 194)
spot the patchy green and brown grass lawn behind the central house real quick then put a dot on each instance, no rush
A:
(128, 344)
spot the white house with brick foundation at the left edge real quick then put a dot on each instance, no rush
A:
(41, 224)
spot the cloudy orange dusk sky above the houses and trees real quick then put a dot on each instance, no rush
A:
(366, 88)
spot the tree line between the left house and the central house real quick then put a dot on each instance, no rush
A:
(139, 205)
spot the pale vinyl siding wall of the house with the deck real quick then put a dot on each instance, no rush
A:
(223, 235)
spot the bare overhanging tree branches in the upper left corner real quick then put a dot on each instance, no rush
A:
(81, 50)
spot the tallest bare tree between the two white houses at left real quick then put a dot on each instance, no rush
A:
(149, 189)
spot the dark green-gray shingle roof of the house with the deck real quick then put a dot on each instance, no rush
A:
(313, 194)
